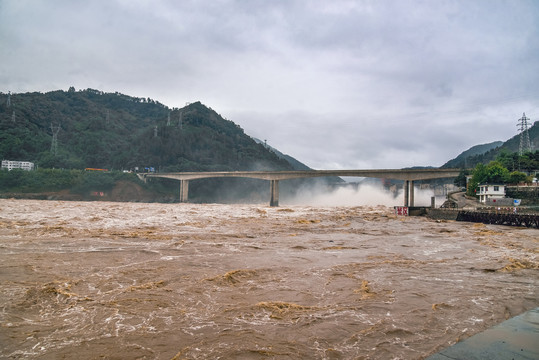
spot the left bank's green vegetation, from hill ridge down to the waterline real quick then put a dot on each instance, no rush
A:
(118, 132)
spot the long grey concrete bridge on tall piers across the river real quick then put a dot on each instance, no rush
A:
(408, 175)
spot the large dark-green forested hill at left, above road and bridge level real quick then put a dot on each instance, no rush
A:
(120, 132)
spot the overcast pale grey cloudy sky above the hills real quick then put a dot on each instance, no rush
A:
(337, 84)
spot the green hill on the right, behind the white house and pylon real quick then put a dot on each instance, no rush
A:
(489, 152)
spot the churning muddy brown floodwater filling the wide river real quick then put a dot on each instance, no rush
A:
(92, 280)
